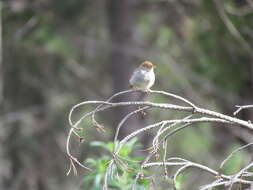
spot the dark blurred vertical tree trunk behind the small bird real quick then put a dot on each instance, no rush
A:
(121, 16)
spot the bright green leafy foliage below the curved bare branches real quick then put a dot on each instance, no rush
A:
(124, 174)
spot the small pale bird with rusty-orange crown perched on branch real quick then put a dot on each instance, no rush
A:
(143, 78)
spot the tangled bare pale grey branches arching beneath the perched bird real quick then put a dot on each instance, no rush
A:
(165, 129)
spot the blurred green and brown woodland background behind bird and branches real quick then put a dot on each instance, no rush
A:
(57, 53)
